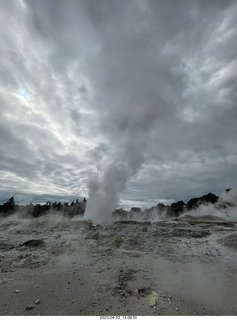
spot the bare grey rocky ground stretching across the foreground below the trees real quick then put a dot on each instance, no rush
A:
(59, 266)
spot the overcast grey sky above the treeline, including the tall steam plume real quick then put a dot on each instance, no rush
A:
(127, 103)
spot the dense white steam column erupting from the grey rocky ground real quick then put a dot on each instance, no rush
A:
(106, 187)
